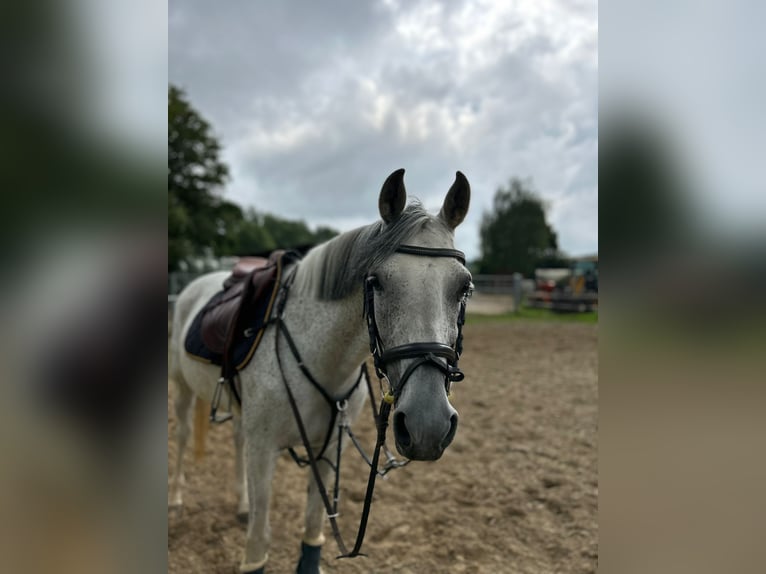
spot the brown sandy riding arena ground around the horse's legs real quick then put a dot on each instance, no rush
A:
(516, 492)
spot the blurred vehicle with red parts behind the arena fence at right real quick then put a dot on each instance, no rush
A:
(569, 289)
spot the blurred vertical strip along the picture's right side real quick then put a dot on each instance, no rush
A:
(682, 208)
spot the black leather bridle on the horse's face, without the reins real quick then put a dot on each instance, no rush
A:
(428, 353)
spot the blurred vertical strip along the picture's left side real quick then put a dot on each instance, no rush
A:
(82, 141)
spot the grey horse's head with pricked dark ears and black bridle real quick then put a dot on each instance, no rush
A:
(418, 296)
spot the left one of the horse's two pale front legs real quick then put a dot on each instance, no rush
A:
(260, 464)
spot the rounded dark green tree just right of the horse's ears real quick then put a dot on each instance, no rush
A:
(515, 236)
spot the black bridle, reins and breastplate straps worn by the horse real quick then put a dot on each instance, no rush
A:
(439, 355)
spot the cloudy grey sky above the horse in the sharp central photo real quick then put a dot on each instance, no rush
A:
(317, 102)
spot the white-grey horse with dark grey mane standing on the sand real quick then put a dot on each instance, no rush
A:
(406, 266)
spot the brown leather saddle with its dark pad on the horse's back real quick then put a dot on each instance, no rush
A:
(228, 329)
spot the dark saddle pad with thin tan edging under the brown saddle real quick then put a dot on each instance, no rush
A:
(254, 315)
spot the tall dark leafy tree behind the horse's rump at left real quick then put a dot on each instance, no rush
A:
(197, 217)
